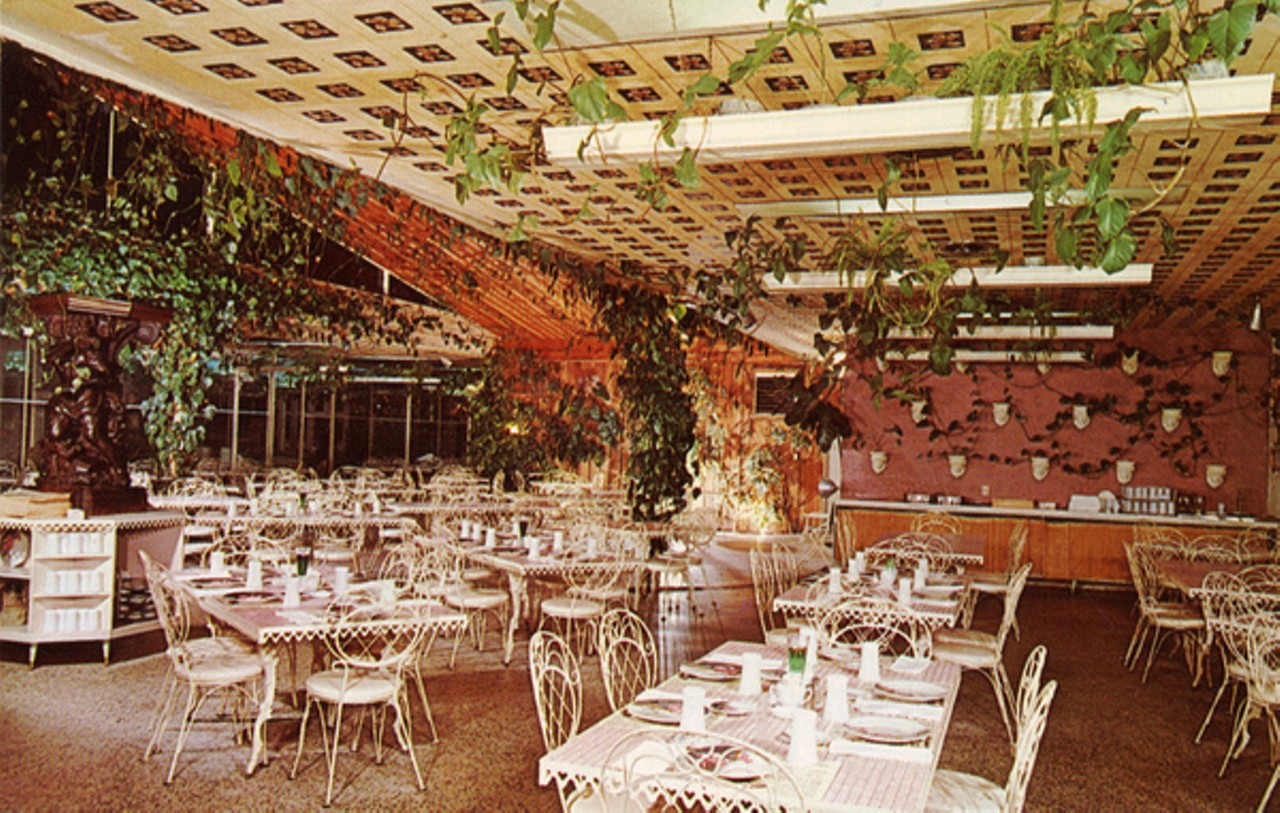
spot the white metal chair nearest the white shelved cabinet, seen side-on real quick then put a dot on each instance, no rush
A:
(205, 666)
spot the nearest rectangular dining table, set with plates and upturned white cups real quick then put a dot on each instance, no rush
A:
(857, 769)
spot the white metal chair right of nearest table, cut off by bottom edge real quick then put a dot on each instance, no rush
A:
(953, 791)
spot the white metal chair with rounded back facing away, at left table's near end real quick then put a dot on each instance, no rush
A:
(371, 659)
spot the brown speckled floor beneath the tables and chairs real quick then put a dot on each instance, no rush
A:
(72, 732)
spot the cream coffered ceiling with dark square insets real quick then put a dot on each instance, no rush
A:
(327, 79)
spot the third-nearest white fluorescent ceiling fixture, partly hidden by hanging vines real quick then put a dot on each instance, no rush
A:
(1008, 277)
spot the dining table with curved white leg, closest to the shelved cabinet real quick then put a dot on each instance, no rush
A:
(267, 618)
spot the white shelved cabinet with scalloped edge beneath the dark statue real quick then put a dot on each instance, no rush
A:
(70, 588)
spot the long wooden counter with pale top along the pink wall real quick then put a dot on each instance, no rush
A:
(1062, 545)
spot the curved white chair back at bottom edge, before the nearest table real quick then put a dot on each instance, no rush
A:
(661, 770)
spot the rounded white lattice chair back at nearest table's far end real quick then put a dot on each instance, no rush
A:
(863, 619)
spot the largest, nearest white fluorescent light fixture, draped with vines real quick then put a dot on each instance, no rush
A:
(881, 127)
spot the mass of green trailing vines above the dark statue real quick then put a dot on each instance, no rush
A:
(175, 227)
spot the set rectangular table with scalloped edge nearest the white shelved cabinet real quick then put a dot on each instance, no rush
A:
(272, 625)
